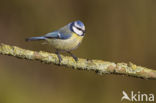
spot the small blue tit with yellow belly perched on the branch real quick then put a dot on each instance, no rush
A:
(66, 38)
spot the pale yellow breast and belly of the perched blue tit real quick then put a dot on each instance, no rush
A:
(66, 44)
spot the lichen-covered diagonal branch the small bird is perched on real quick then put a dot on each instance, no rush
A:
(99, 66)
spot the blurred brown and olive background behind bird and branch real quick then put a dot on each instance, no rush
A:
(117, 31)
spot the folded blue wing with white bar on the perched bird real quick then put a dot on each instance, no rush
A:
(58, 35)
